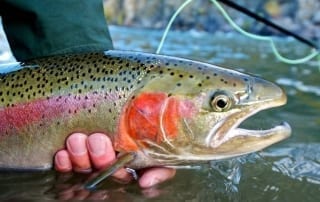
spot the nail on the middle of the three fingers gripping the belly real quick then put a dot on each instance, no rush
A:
(77, 144)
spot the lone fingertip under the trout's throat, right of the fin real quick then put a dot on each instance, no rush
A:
(155, 176)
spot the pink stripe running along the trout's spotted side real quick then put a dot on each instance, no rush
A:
(22, 114)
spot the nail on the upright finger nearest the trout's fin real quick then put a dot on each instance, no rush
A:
(97, 145)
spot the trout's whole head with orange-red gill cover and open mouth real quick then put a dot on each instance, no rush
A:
(189, 112)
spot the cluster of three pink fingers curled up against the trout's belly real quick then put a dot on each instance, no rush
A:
(85, 153)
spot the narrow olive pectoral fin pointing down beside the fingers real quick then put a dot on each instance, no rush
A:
(121, 162)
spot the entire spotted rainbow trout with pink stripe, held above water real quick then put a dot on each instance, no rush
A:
(163, 110)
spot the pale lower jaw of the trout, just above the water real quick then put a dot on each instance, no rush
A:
(239, 141)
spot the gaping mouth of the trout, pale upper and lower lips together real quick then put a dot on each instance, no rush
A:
(228, 140)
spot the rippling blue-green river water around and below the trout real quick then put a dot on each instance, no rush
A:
(288, 171)
